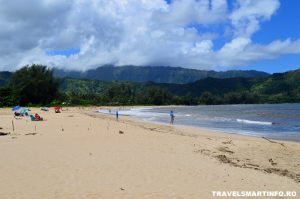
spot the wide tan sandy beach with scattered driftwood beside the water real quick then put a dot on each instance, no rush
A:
(82, 154)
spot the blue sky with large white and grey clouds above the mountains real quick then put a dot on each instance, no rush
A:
(201, 34)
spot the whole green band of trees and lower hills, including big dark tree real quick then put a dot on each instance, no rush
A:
(35, 85)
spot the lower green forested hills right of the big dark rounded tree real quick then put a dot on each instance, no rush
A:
(277, 88)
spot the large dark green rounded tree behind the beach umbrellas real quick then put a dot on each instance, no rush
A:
(34, 84)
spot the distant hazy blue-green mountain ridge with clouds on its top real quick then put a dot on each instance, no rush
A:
(158, 74)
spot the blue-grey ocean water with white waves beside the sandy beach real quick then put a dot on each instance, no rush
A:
(276, 121)
